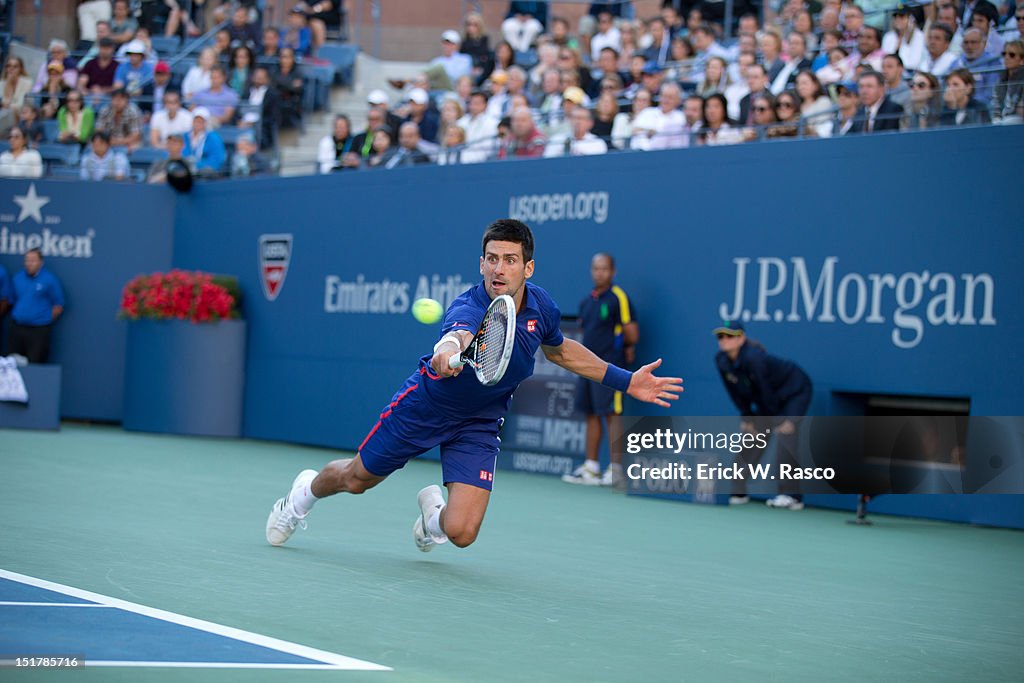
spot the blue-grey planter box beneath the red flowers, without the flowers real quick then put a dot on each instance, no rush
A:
(185, 378)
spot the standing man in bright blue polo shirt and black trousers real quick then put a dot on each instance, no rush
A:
(38, 303)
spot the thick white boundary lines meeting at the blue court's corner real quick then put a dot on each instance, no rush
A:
(330, 660)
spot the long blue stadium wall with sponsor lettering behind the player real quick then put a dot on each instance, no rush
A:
(883, 265)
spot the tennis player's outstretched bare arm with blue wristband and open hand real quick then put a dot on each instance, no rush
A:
(643, 386)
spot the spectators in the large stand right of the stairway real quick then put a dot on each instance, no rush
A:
(812, 69)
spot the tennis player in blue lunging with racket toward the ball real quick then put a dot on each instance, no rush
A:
(442, 406)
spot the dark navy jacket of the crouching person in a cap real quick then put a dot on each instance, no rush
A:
(761, 385)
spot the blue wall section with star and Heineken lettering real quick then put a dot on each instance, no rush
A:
(96, 237)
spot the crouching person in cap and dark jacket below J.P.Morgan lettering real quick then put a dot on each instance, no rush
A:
(771, 394)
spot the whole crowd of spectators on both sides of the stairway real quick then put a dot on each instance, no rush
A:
(538, 88)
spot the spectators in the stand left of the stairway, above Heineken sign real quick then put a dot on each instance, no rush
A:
(143, 74)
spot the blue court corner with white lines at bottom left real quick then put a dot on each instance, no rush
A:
(44, 619)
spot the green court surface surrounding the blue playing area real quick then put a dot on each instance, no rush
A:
(566, 583)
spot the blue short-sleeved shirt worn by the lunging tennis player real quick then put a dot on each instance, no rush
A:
(537, 323)
